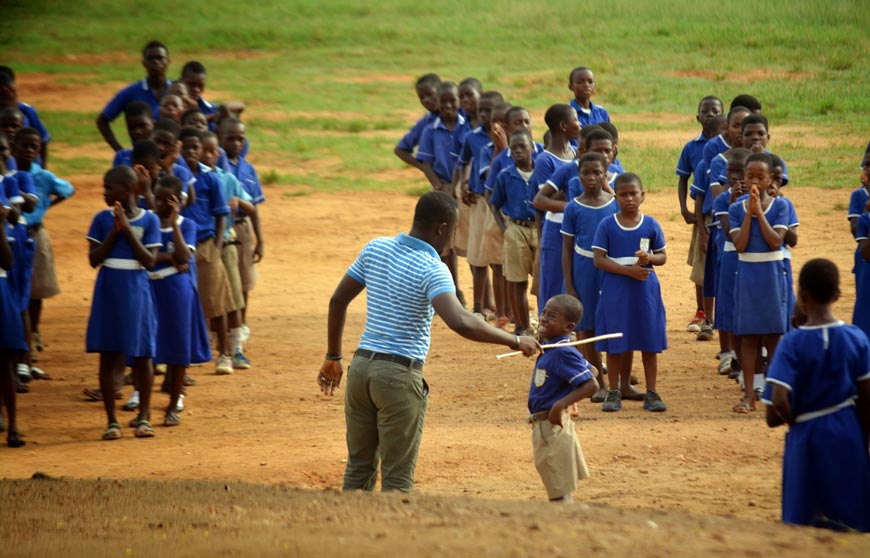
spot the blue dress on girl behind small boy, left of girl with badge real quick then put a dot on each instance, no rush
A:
(580, 222)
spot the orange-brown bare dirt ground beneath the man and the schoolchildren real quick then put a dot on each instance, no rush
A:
(255, 466)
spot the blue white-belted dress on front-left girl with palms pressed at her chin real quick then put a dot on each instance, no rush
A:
(122, 317)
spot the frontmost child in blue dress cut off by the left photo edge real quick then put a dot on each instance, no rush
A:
(12, 333)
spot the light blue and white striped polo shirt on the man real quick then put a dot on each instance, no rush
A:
(402, 276)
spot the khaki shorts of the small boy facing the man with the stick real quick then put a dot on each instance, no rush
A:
(558, 456)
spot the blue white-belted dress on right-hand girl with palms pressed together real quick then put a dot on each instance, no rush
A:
(760, 285)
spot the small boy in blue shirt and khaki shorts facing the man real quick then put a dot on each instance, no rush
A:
(562, 377)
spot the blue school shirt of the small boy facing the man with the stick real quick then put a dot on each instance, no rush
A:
(558, 372)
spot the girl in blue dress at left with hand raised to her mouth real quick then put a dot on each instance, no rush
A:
(182, 336)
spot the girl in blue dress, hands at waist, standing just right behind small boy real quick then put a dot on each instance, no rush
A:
(626, 247)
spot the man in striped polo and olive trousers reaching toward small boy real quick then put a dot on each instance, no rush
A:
(386, 396)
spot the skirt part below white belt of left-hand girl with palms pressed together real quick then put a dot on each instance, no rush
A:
(123, 318)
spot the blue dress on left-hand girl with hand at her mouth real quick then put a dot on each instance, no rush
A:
(182, 336)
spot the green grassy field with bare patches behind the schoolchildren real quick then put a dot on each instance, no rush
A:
(331, 82)
